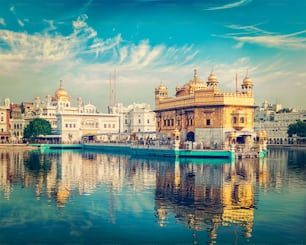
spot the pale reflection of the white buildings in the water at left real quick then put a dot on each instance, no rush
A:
(59, 175)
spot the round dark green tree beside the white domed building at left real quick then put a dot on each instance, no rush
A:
(36, 127)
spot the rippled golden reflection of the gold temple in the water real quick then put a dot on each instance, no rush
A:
(205, 196)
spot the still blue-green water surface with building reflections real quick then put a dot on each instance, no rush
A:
(83, 197)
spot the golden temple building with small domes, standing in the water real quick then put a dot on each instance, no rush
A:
(198, 106)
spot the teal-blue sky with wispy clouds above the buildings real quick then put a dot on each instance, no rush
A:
(141, 43)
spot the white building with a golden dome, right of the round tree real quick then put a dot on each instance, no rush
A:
(72, 123)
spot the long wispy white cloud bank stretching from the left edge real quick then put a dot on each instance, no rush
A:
(46, 48)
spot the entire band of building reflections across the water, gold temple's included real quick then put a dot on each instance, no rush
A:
(204, 195)
